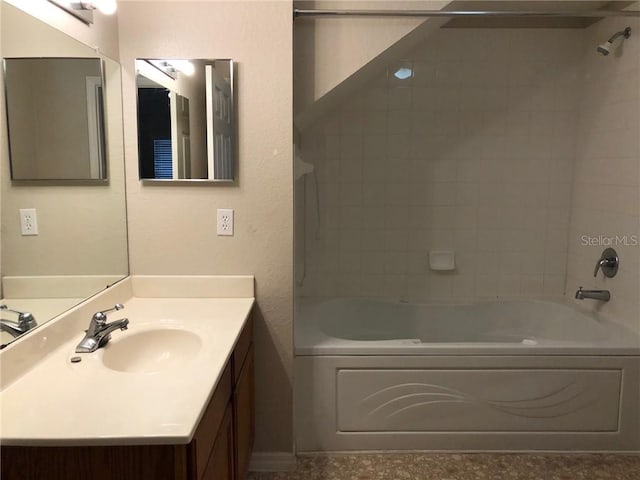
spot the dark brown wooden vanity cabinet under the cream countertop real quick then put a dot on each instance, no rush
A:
(220, 448)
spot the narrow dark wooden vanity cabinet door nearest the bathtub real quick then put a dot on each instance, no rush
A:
(243, 415)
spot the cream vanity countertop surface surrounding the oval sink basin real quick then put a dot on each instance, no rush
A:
(62, 403)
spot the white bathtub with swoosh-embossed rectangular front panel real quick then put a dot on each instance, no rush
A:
(509, 375)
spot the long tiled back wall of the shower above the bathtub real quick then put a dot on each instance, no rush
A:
(474, 153)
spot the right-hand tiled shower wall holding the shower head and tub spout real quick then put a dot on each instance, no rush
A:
(606, 193)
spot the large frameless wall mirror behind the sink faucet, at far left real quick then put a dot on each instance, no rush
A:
(81, 243)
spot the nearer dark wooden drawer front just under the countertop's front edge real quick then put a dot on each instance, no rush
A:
(210, 423)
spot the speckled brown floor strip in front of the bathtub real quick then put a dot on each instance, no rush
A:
(461, 467)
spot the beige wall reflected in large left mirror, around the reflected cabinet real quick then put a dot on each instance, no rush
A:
(82, 229)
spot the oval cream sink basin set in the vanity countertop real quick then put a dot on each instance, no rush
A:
(151, 351)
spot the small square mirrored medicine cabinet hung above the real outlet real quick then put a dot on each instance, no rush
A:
(186, 122)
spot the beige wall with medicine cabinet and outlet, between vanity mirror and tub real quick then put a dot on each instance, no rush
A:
(172, 228)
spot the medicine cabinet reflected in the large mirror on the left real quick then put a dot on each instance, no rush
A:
(55, 117)
